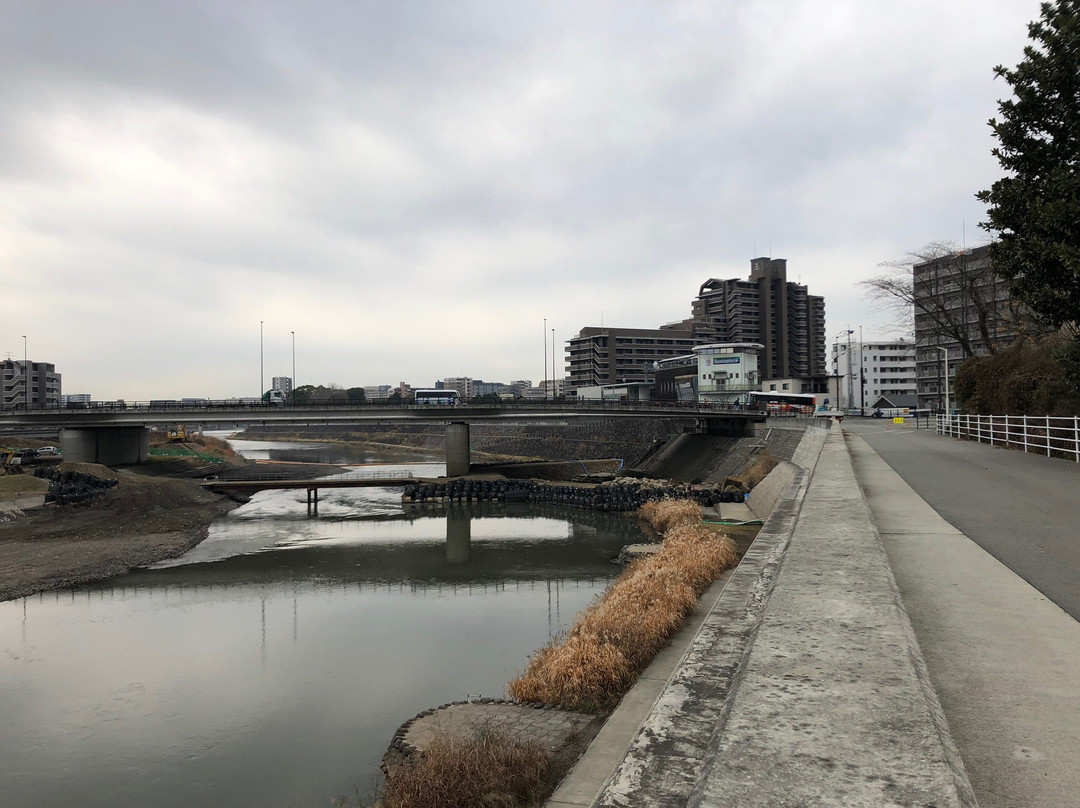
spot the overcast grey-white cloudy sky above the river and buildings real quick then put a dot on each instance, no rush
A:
(413, 187)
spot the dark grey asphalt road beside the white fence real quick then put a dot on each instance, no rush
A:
(1024, 510)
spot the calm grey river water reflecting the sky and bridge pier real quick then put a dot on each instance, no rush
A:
(272, 665)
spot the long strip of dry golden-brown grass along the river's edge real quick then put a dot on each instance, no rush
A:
(615, 639)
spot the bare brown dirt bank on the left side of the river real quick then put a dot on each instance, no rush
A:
(141, 521)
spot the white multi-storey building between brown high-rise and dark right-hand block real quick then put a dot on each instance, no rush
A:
(874, 370)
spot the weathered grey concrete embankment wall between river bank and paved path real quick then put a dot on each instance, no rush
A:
(805, 684)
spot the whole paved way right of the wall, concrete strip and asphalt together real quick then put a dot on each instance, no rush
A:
(1004, 659)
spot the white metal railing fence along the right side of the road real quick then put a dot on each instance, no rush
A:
(1045, 435)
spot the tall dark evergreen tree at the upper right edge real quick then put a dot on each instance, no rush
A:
(1035, 209)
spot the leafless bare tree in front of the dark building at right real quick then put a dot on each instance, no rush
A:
(943, 292)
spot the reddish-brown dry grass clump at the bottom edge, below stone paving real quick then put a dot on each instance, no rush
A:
(488, 772)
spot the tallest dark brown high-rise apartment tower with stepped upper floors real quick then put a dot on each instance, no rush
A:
(767, 309)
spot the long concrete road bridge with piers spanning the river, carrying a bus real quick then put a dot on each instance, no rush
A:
(114, 434)
